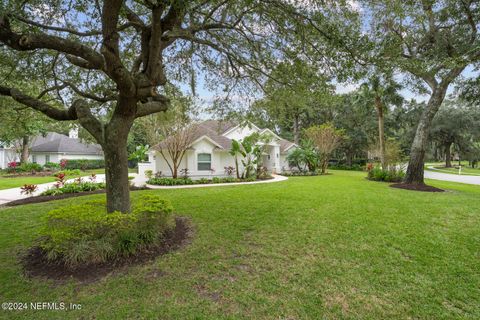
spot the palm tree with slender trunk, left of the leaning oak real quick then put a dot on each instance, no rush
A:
(381, 91)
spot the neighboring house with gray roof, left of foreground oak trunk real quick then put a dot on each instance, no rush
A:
(54, 147)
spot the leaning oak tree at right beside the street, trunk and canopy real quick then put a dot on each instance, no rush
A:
(432, 41)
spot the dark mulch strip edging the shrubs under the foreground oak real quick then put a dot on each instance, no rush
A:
(35, 263)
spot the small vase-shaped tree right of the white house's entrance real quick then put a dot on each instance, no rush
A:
(326, 139)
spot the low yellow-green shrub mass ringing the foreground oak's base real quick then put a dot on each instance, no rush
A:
(86, 233)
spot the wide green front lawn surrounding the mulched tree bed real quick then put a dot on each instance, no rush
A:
(324, 247)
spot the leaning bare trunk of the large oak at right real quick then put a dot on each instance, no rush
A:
(415, 170)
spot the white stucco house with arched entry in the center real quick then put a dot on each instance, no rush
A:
(208, 154)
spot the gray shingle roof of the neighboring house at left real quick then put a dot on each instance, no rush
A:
(58, 143)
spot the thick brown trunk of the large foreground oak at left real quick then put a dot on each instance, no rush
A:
(116, 166)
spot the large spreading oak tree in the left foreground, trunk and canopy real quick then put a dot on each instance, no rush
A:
(105, 63)
